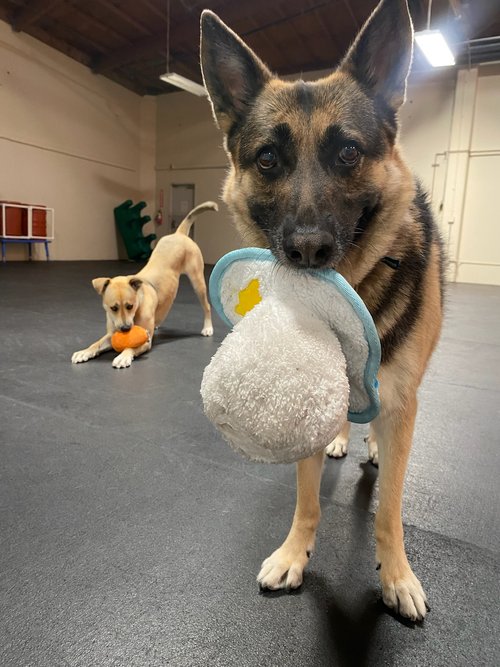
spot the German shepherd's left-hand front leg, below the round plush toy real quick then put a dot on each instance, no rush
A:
(285, 567)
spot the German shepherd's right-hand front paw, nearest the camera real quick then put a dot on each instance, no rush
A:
(405, 595)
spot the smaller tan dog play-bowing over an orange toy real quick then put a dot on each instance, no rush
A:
(145, 298)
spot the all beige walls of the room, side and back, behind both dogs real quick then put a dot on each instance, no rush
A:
(81, 144)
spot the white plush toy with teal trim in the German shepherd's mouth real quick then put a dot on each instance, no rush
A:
(302, 358)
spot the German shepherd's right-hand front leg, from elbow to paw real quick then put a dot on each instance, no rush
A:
(401, 590)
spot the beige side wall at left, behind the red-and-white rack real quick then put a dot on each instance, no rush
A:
(73, 141)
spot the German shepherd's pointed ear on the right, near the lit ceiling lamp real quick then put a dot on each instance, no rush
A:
(380, 58)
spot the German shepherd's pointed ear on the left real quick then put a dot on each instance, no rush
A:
(232, 73)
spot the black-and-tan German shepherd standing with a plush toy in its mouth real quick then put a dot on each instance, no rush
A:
(316, 175)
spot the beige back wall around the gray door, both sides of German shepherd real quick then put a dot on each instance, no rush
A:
(450, 137)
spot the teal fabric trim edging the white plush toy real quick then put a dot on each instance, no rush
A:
(327, 276)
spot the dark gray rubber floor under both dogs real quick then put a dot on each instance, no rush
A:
(131, 535)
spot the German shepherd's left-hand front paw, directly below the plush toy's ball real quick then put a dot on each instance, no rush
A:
(283, 569)
